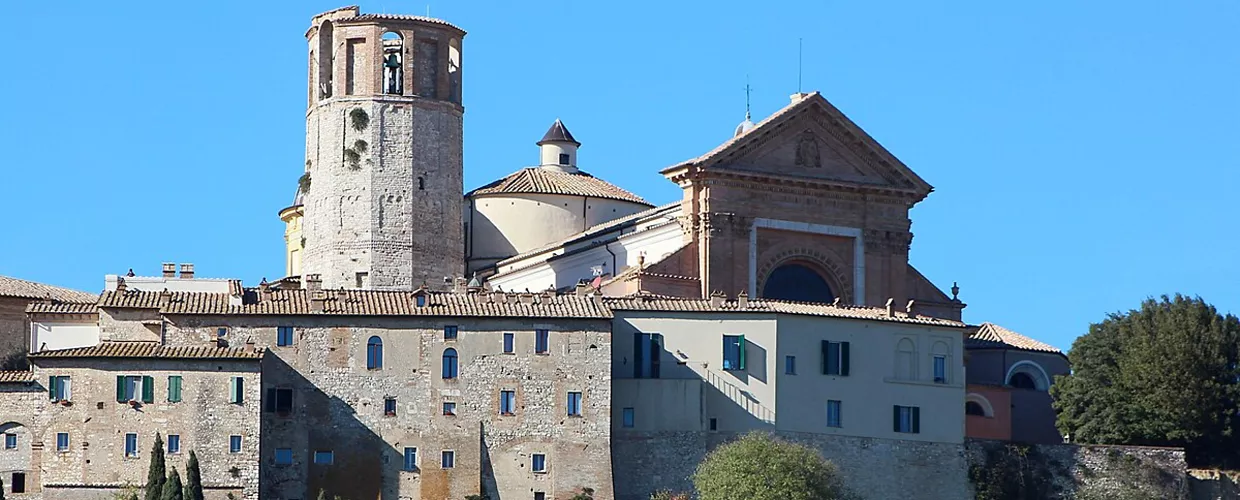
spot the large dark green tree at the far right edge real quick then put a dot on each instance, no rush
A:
(1162, 375)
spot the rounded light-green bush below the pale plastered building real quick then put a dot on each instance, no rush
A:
(759, 467)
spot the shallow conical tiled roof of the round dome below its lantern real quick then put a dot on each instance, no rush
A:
(546, 182)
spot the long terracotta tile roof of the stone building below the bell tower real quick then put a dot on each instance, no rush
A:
(365, 303)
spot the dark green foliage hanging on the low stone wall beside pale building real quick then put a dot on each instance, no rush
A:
(1012, 472)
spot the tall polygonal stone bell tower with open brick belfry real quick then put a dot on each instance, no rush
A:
(384, 188)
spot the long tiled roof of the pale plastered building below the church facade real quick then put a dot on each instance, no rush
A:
(676, 305)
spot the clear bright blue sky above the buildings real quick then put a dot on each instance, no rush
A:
(1084, 156)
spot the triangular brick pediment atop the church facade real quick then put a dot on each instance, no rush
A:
(812, 140)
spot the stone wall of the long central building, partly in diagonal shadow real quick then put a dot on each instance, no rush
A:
(339, 405)
